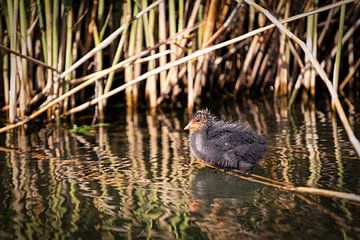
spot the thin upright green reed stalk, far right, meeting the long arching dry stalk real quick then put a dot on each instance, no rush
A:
(338, 54)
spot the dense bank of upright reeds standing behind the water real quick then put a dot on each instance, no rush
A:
(59, 33)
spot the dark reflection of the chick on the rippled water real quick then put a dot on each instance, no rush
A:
(218, 201)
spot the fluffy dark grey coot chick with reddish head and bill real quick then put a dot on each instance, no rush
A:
(227, 145)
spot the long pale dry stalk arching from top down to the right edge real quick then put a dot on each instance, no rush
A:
(355, 142)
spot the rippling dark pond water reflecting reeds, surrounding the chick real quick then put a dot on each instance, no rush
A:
(134, 179)
